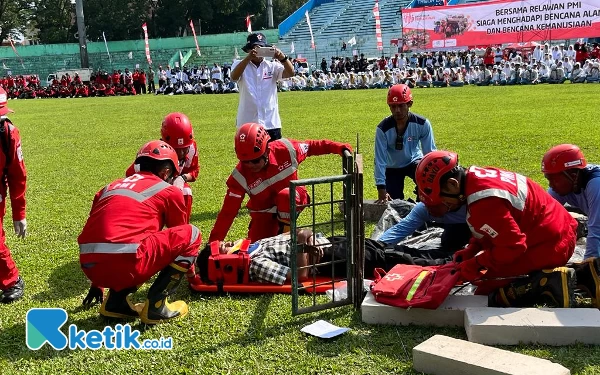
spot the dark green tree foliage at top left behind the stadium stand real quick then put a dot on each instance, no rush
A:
(122, 20)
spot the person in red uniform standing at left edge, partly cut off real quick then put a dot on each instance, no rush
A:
(14, 177)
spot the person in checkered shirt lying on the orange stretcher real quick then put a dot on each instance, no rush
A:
(270, 258)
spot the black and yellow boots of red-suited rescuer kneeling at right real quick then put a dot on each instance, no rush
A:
(551, 287)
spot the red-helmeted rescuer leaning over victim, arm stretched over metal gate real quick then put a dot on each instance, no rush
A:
(264, 172)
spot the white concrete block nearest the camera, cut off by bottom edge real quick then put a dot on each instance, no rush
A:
(442, 355)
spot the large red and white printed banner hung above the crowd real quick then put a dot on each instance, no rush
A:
(501, 21)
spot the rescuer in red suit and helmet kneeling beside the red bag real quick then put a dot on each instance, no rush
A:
(518, 229)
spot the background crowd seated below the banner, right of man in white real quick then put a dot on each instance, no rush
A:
(578, 63)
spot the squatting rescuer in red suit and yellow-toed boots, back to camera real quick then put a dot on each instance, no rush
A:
(122, 244)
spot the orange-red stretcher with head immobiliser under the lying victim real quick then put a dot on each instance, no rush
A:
(229, 273)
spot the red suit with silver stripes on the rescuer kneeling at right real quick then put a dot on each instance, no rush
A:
(517, 224)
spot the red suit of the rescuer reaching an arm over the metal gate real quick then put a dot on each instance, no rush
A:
(268, 189)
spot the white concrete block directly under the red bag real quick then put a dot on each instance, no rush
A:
(450, 313)
